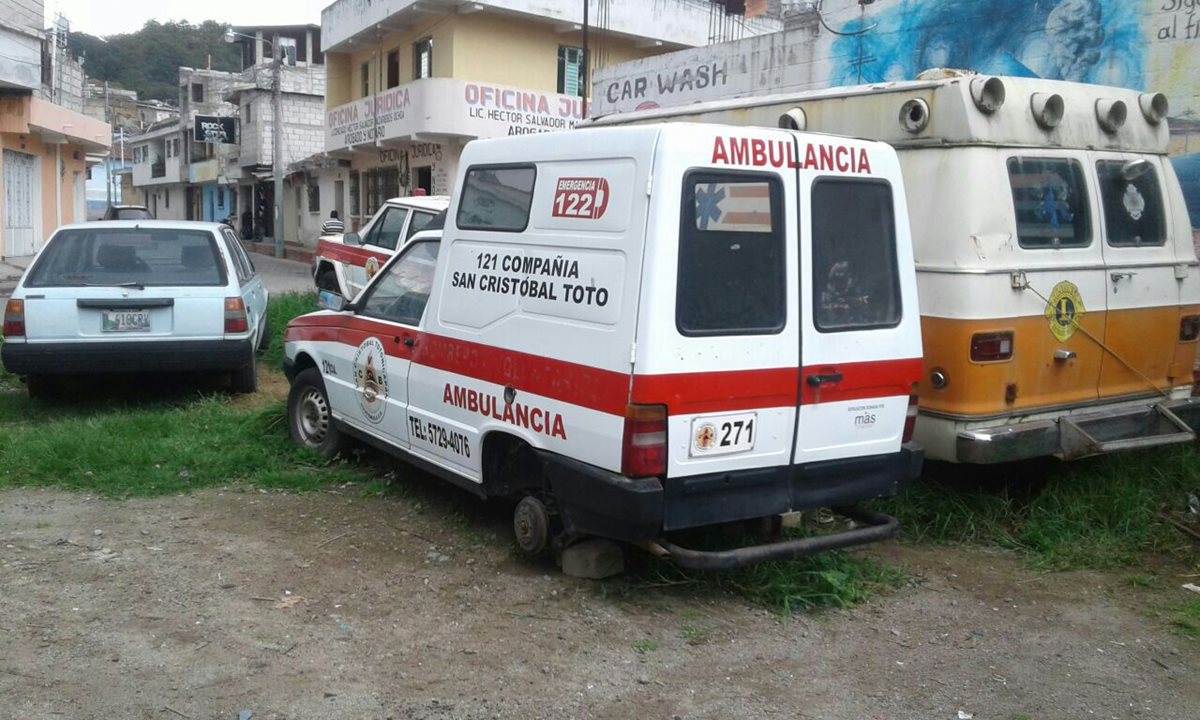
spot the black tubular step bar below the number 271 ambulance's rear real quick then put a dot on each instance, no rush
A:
(874, 527)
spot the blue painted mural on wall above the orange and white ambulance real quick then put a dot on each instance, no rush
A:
(1142, 45)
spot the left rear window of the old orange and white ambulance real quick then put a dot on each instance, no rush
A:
(1051, 203)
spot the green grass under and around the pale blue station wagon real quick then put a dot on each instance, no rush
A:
(149, 437)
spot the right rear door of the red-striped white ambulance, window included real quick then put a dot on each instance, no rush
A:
(860, 339)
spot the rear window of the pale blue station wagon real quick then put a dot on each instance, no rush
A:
(146, 257)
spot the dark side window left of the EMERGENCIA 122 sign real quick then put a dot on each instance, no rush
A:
(496, 199)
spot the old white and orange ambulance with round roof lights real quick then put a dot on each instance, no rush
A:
(1060, 291)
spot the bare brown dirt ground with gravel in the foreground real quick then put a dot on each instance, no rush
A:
(411, 607)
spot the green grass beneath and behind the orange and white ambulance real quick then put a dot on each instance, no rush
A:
(1097, 514)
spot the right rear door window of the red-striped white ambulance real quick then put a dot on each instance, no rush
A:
(855, 275)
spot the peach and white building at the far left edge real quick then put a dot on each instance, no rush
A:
(45, 139)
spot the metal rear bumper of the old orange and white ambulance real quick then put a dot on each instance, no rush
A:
(1072, 437)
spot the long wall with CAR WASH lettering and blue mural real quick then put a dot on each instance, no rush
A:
(1148, 45)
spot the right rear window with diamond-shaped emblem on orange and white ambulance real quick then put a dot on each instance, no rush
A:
(1133, 207)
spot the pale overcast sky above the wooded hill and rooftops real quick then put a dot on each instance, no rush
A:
(111, 17)
